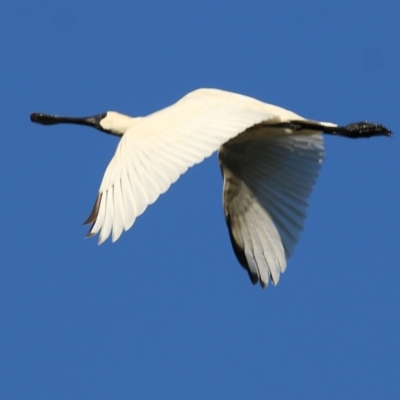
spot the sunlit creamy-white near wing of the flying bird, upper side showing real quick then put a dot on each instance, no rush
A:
(158, 148)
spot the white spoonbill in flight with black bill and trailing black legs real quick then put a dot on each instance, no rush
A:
(269, 159)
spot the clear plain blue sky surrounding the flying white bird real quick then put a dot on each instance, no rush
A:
(167, 312)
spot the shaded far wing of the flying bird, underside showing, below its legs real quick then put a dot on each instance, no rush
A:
(267, 183)
